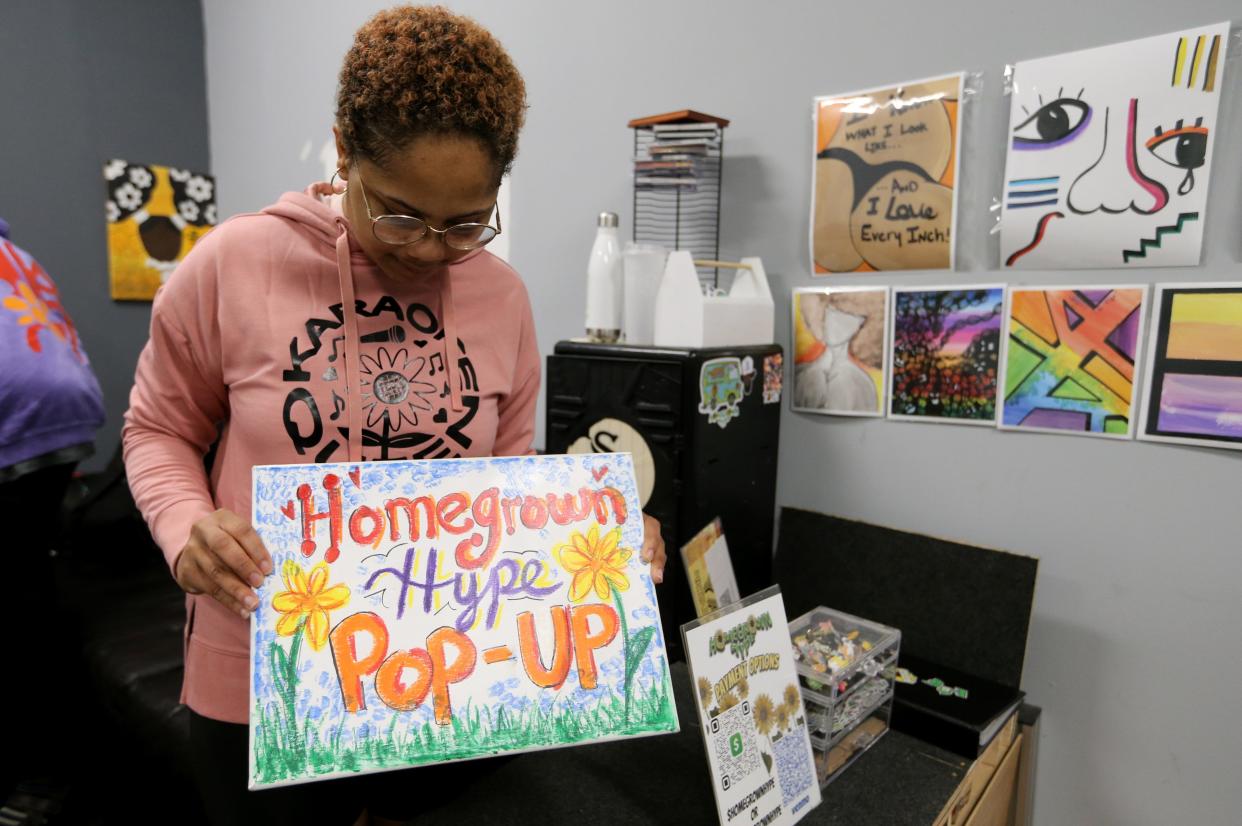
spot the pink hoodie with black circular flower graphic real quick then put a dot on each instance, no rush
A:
(249, 341)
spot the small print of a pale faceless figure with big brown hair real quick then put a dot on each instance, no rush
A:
(839, 351)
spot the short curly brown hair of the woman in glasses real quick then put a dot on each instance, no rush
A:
(423, 70)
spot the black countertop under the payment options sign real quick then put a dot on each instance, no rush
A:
(665, 781)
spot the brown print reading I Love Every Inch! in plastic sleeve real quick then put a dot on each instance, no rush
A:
(885, 178)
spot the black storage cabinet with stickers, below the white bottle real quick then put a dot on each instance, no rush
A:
(702, 471)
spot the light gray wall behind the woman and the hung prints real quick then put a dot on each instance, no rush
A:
(1133, 649)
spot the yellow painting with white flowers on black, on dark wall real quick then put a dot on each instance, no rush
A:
(156, 214)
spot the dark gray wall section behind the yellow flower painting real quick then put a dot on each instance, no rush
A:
(85, 83)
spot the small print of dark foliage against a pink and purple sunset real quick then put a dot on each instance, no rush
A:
(946, 352)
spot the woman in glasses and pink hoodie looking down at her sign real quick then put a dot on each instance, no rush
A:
(353, 322)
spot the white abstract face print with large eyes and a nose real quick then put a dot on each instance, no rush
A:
(1111, 153)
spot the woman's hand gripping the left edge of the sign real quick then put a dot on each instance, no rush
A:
(224, 560)
